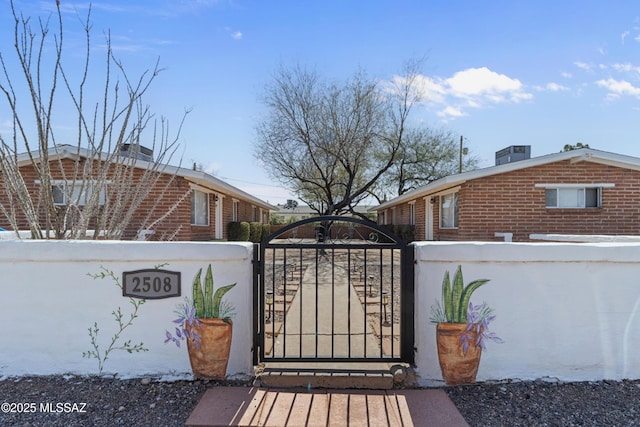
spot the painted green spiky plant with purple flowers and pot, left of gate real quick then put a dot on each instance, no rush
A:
(205, 322)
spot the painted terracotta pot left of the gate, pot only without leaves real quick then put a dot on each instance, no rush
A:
(210, 360)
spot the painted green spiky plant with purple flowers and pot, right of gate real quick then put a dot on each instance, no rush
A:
(462, 329)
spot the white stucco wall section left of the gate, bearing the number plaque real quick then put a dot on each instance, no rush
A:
(48, 302)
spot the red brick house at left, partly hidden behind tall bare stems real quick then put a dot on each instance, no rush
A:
(185, 204)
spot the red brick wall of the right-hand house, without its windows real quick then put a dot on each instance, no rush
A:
(511, 203)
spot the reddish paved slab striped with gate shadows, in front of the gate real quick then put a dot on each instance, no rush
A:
(250, 406)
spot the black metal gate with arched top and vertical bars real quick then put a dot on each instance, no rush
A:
(332, 289)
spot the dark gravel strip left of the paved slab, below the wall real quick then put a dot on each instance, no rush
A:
(99, 401)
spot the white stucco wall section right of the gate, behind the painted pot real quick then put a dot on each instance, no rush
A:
(565, 311)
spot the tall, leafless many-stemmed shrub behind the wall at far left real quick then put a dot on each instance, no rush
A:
(67, 183)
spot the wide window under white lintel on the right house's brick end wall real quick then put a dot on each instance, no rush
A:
(573, 196)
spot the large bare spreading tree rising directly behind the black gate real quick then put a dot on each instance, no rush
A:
(331, 141)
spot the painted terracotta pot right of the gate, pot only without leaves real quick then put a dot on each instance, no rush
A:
(457, 367)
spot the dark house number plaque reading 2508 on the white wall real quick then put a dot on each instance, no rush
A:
(151, 284)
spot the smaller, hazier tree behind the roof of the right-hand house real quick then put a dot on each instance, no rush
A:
(426, 155)
